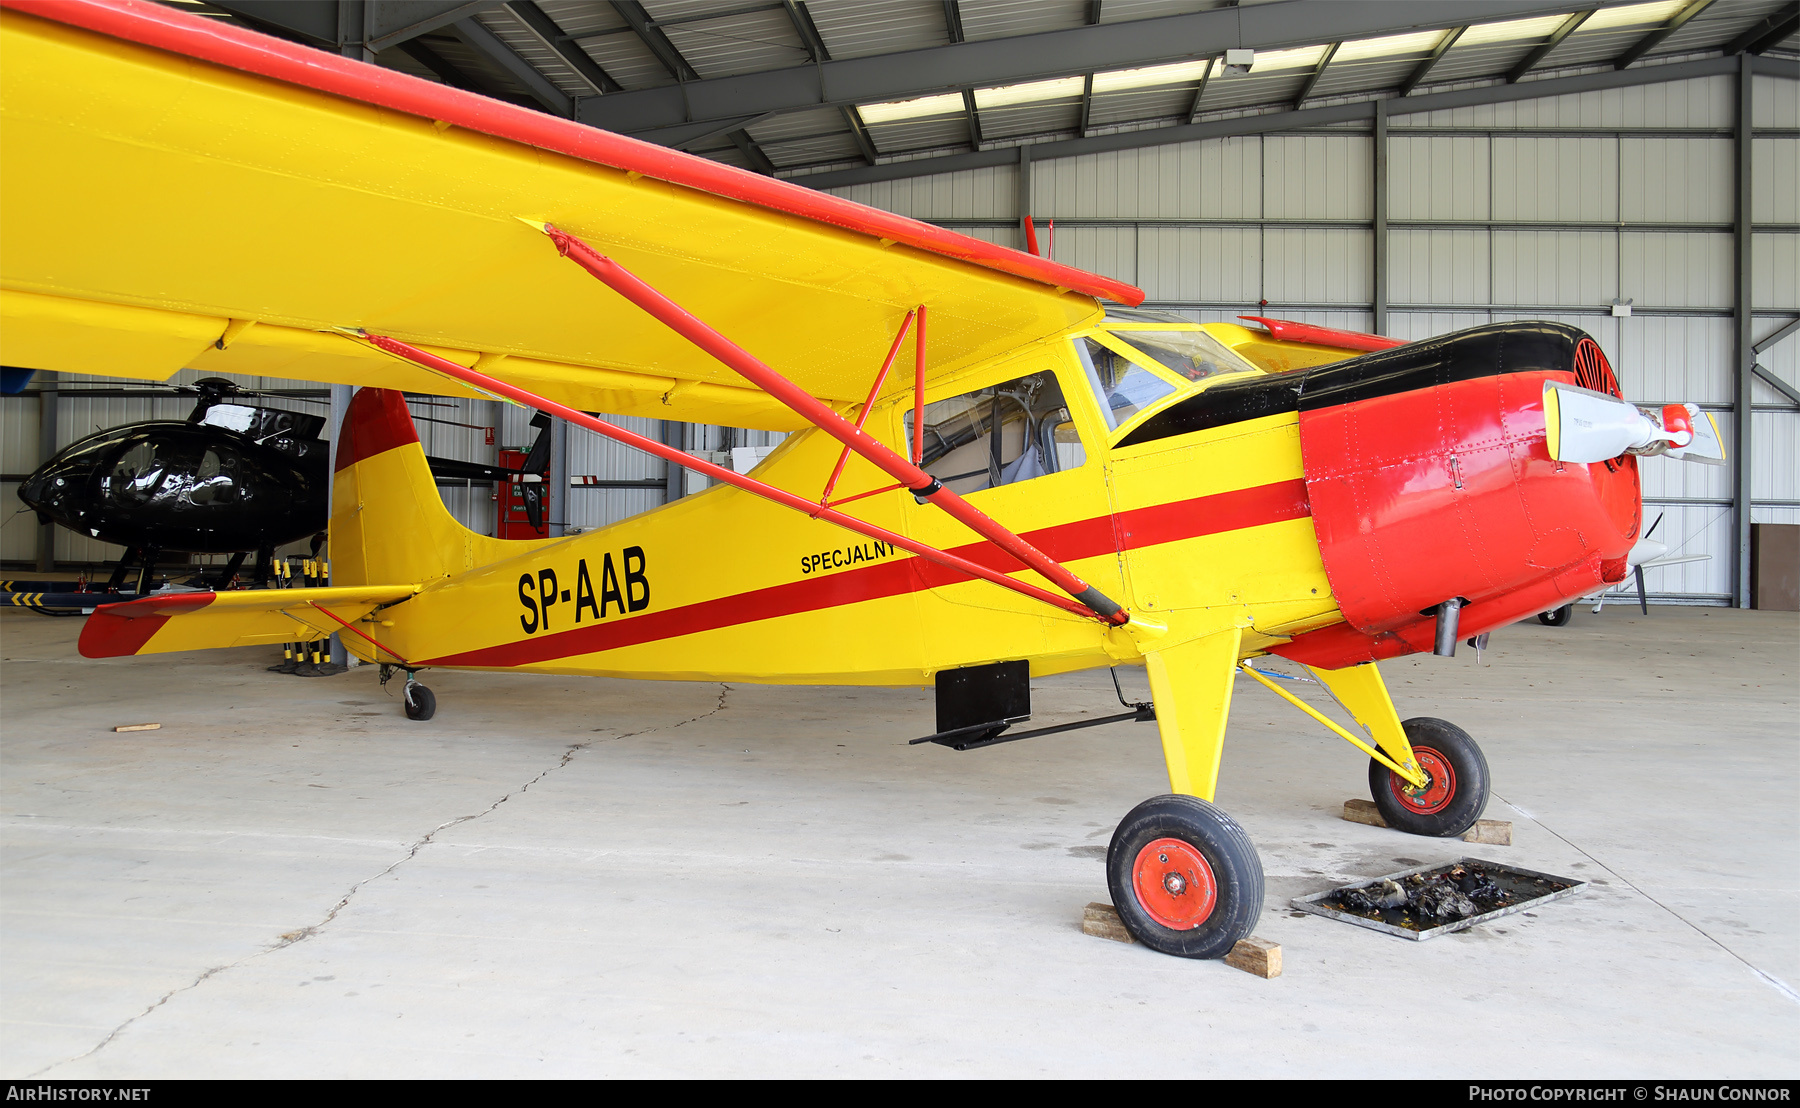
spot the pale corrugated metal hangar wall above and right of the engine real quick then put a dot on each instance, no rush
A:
(1644, 175)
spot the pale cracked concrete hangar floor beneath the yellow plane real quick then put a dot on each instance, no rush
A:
(573, 879)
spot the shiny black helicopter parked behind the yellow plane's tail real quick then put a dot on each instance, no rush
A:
(231, 479)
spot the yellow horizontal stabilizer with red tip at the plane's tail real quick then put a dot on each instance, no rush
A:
(215, 620)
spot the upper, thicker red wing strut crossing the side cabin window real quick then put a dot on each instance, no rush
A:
(926, 488)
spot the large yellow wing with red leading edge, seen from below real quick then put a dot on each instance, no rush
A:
(179, 193)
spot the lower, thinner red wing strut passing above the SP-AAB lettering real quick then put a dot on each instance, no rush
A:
(669, 454)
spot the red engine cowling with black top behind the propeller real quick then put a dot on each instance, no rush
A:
(1430, 479)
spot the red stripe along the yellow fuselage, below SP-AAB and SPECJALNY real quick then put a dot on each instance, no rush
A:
(1066, 542)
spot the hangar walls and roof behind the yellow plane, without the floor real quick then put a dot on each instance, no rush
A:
(1569, 165)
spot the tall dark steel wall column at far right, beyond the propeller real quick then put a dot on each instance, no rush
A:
(1743, 348)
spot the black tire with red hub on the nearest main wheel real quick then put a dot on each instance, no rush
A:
(1210, 884)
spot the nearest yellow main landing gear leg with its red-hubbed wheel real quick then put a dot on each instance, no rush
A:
(1183, 875)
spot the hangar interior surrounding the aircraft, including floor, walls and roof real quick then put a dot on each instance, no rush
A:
(575, 879)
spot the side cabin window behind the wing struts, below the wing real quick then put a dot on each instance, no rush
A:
(1005, 434)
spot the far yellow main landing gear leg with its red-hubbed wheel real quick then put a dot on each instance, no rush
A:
(1455, 773)
